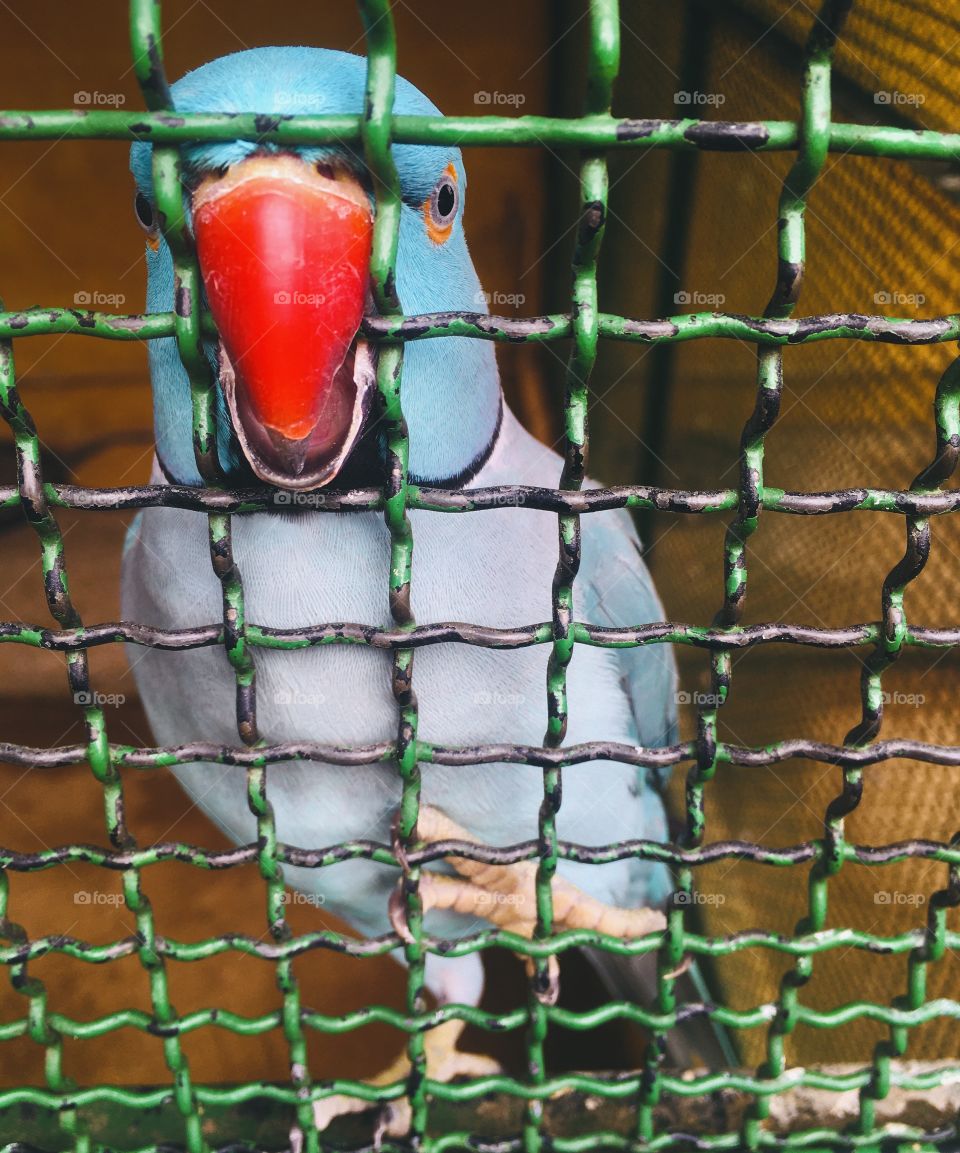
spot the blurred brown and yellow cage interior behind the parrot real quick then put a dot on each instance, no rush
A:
(879, 232)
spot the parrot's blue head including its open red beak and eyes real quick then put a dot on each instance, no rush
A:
(284, 238)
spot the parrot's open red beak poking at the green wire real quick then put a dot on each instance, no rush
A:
(285, 257)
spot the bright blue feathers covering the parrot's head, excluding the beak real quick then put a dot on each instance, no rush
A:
(451, 388)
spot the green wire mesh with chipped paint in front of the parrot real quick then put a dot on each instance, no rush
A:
(595, 133)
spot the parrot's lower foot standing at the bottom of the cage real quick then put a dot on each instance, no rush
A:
(444, 1064)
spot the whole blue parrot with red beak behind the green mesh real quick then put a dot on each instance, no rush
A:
(284, 239)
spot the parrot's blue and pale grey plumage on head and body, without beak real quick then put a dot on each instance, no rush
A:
(303, 568)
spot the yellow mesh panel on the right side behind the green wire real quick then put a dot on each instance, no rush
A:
(881, 240)
